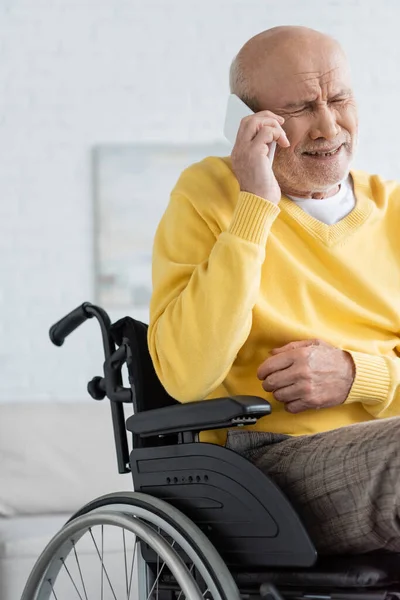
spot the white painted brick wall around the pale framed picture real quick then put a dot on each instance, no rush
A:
(74, 73)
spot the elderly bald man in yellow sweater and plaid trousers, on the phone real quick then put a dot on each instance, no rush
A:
(285, 282)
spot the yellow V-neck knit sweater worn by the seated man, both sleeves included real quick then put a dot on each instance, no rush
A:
(235, 276)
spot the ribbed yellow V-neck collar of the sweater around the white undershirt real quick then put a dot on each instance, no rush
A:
(332, 234)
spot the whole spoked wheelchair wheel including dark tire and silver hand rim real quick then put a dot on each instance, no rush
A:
(145, 517)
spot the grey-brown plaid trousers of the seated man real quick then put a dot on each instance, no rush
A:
(344, 483)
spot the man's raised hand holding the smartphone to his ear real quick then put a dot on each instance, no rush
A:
(250, 161)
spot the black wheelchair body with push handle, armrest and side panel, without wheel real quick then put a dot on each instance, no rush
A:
(245, 515)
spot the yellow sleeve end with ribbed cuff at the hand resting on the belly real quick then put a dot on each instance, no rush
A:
(376, 384)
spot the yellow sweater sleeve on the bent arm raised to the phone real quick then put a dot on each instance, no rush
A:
(205, 286)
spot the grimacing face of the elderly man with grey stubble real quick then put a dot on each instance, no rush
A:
(321, 123)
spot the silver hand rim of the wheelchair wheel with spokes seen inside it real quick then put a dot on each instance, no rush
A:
(61, 560)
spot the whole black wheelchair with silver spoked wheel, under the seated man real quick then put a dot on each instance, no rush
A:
(203, 521)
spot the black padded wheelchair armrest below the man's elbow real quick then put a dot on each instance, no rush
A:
(199, 416)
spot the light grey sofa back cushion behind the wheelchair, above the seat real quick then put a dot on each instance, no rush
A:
(55, 457)
